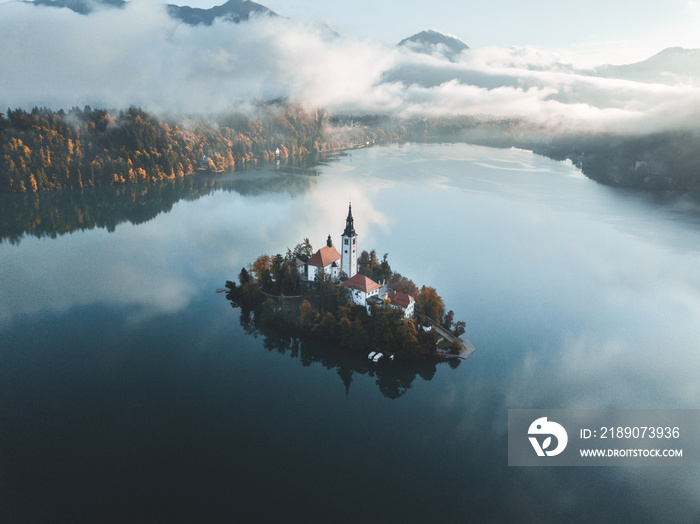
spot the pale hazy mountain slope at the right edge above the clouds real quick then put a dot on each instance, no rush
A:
(671, 66)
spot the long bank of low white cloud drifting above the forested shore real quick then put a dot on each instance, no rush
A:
(140, 56)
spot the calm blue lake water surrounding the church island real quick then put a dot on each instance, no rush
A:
(130, 392)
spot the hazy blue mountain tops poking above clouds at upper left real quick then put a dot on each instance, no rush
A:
(232, 11)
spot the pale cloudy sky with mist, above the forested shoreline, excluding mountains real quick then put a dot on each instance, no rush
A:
(524, 62)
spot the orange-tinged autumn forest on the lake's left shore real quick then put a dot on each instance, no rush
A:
(44, 150)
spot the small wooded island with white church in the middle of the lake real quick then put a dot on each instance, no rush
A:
(356, 302)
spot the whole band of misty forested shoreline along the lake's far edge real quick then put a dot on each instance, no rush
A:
(45, 150)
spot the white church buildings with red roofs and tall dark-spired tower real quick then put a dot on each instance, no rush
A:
(363, 290)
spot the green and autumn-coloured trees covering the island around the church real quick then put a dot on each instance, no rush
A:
(273, 301)
